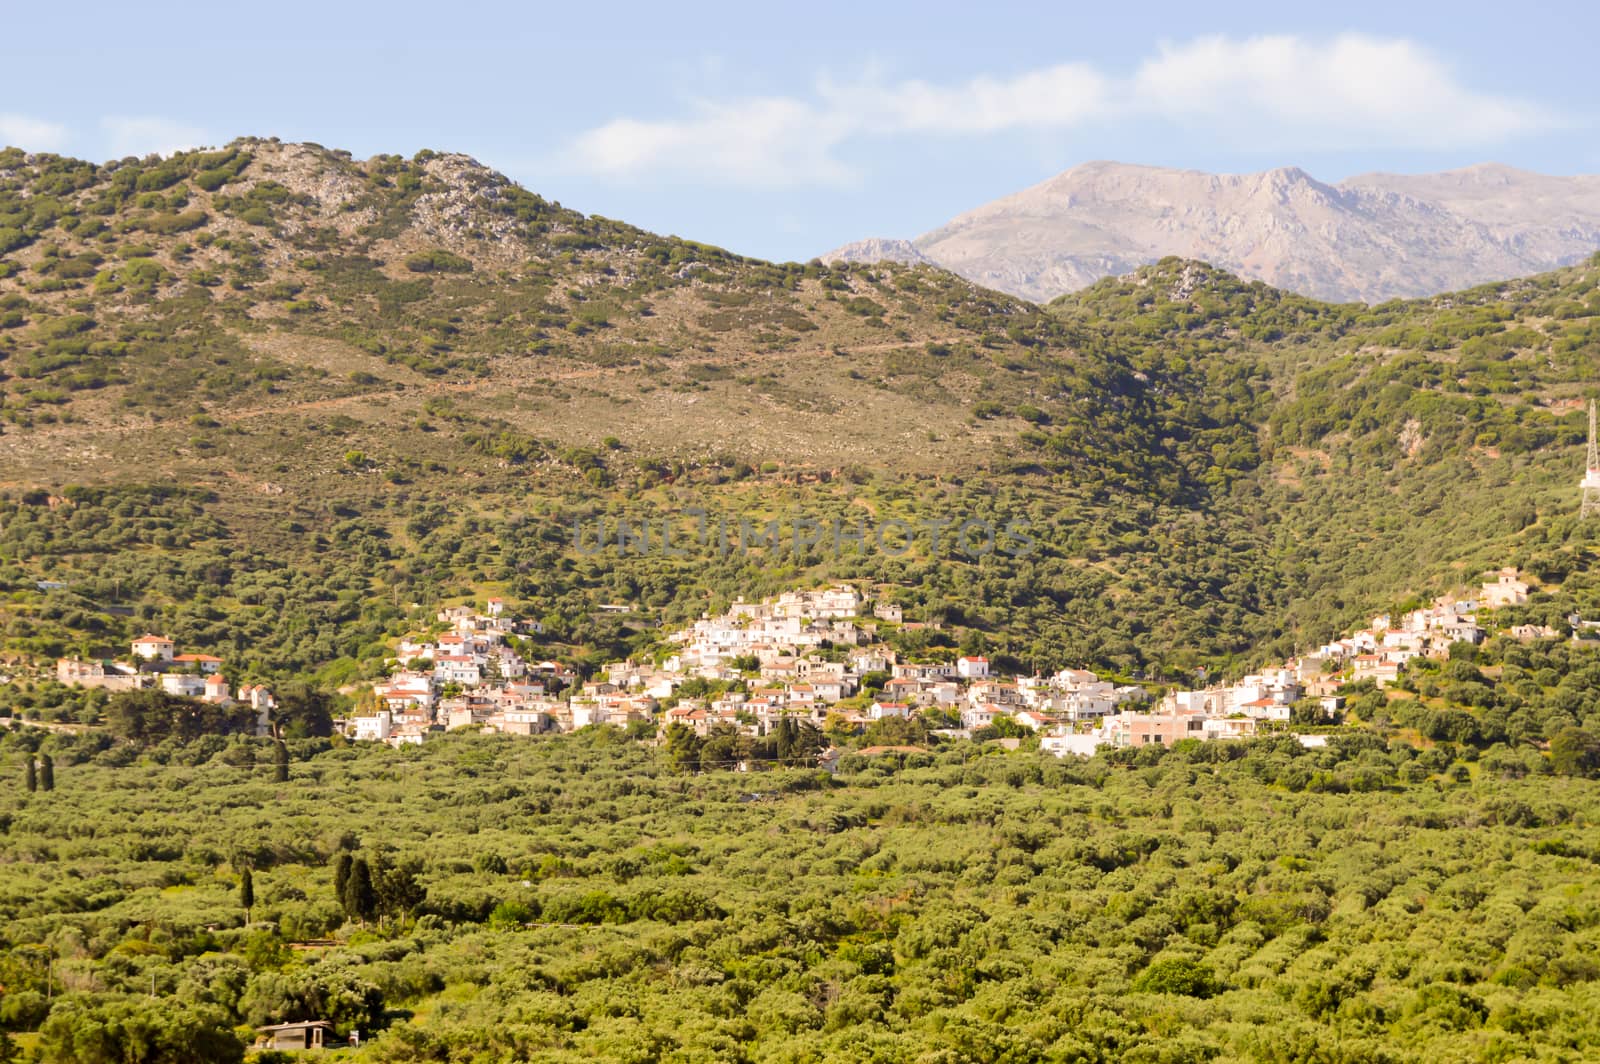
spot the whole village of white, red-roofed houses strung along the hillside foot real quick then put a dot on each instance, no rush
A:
(818, 658)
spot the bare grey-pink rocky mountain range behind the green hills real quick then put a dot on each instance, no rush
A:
(1367, 239)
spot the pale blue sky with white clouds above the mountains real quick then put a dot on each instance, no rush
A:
(785, 130)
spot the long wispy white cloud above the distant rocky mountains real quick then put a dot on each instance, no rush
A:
(1279, 94)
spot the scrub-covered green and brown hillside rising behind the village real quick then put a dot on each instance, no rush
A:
(274, 399)
